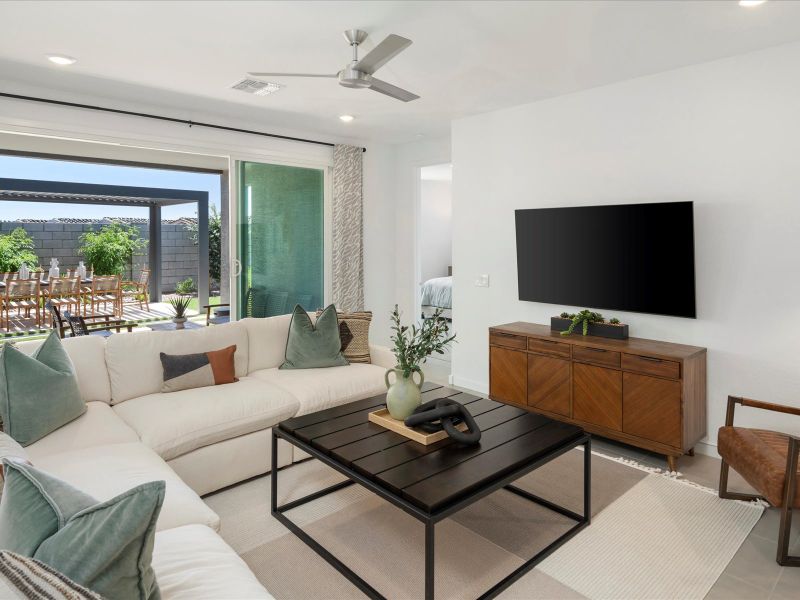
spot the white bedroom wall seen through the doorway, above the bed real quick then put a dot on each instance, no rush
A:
(436, 228)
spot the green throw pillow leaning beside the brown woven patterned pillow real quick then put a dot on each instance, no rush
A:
(310, 346)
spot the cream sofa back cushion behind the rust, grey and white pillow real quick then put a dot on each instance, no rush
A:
(134, 364)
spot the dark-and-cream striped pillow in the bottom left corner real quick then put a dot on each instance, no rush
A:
(22, 577)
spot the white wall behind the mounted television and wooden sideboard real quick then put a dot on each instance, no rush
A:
(725, 135)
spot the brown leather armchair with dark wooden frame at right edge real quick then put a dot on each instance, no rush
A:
(768, 461)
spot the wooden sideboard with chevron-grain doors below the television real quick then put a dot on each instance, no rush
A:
(645, 393)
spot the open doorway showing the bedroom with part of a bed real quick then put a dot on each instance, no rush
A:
(435, 248)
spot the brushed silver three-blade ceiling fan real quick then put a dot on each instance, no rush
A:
(358, 73)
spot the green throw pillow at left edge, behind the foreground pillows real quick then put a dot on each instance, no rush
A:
(38, 393)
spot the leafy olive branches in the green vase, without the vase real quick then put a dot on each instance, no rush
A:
(413, 345)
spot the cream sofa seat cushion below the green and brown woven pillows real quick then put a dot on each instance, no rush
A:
(318, 389)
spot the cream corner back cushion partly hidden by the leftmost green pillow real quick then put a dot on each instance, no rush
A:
(88, 356)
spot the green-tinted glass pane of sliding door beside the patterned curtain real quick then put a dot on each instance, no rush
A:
(281, 239)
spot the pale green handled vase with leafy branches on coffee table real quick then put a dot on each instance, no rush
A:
(412, 347)
